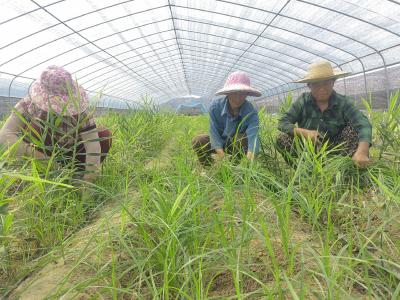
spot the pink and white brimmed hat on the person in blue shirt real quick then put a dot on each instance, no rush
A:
(238, 82)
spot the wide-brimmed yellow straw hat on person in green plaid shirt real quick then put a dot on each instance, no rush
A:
(321, 70)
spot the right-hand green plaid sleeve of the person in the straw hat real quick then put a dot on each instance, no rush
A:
(358, 121)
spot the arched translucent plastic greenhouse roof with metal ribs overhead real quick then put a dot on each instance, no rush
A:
(173, 48)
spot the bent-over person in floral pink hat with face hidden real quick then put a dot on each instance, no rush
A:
(54, 119)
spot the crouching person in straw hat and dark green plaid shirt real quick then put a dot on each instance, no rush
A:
(324, 115)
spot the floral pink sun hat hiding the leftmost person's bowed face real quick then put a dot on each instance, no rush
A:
(57, 90)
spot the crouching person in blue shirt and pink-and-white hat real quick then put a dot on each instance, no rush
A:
(233, 122)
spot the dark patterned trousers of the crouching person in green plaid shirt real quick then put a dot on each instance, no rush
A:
(348, 137)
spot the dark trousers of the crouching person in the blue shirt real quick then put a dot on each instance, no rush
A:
(236, 146)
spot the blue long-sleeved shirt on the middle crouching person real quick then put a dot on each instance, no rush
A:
(224, 126)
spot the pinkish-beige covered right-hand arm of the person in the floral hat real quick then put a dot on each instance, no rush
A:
(93, 151)
